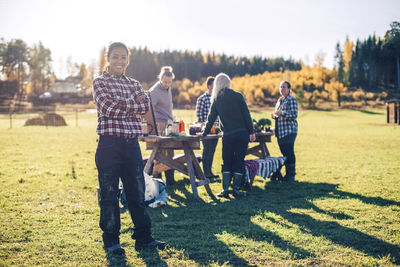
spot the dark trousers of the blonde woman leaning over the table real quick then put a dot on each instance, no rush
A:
(234, 148)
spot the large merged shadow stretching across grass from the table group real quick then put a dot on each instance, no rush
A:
(217, 232)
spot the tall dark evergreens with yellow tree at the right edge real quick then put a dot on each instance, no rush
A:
(373, 63)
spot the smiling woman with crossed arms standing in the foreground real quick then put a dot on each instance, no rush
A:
(120, 101)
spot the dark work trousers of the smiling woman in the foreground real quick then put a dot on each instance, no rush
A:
(116, 158)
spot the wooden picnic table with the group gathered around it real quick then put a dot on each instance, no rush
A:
(160, 144)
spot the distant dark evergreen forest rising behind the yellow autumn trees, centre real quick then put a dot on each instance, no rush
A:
(145, 65)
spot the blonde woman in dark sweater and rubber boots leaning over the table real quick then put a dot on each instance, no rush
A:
(237, 127)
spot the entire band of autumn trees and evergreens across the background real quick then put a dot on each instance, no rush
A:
(371, 65)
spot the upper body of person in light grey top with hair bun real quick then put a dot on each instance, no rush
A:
(161, 96)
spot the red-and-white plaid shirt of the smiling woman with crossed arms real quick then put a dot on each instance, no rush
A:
(118, 111)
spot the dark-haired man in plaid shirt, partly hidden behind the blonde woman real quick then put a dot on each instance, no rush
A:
(202, 107)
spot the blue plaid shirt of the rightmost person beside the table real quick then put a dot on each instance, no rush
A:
(286, 122)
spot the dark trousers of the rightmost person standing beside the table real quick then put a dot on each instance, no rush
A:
(286, 145)
